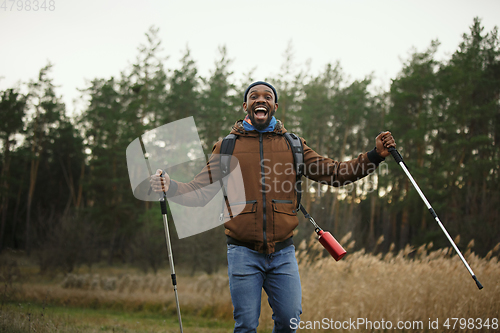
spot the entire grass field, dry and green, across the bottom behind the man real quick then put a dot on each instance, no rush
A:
(419, 289)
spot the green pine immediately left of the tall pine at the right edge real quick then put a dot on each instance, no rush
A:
(411, 94)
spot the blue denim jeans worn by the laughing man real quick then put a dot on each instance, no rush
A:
(278, 273)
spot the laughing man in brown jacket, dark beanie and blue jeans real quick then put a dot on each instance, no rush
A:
(260, 250)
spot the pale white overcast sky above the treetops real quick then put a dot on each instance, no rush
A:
(89, 39)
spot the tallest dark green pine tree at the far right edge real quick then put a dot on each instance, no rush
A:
(466, 135)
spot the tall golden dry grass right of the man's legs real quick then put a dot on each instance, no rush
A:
(409, 286)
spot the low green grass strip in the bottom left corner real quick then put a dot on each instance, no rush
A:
(29, 317)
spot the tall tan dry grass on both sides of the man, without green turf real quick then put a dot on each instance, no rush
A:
(411, 285)
